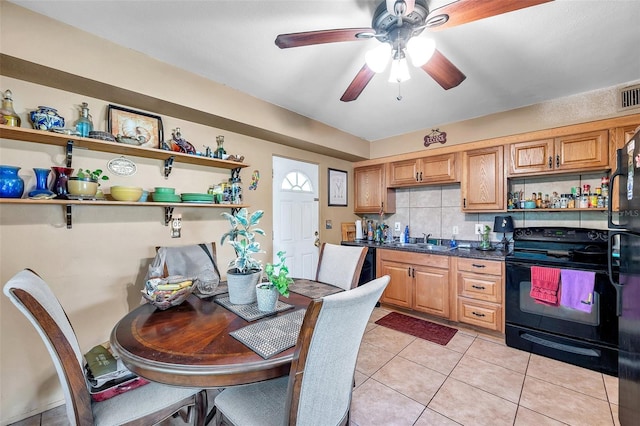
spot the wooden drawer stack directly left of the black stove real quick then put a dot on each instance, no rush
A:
(480, 290)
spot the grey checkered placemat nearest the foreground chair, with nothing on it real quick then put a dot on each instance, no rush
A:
(272, 336)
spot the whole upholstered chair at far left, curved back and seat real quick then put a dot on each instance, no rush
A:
(146, 405)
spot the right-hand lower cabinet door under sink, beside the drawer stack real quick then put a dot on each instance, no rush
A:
(432, 290)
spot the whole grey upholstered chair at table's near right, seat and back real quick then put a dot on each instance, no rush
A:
(318, 388)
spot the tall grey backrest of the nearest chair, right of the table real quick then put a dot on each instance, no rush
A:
(321, 375)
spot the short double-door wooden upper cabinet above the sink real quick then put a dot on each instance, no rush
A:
(431, 170)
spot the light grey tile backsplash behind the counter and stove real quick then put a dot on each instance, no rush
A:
(436, 210)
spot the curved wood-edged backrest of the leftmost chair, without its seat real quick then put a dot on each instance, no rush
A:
(33, 297)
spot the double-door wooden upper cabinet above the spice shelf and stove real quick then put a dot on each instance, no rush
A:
(573, 153)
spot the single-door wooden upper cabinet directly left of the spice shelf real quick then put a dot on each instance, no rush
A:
(483, 180)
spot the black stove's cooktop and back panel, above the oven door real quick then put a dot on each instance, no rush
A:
(560, 246)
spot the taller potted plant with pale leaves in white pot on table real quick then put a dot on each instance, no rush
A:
(244, 271)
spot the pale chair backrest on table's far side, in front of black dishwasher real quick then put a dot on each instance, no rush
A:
(340, 265)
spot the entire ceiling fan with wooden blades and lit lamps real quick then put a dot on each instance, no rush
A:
(396, 24)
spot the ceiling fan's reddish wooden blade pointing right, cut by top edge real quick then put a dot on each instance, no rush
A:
(464, 11)
